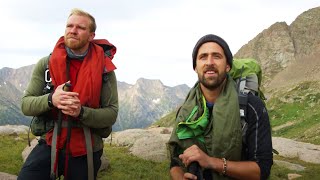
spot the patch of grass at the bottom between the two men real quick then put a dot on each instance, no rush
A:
(126, 166)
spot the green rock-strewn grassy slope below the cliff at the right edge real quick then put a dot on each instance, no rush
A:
(300, 105)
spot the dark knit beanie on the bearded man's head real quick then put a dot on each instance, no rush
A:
(216, 39)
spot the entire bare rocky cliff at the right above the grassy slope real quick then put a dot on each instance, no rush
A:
(282, 45)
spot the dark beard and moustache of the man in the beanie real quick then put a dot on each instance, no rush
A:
(212, 83)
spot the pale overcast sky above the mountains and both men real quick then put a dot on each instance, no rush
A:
(154, 38)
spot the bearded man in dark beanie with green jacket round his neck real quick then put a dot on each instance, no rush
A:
(207, 140)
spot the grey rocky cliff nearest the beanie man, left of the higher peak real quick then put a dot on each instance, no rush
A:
(273, 48)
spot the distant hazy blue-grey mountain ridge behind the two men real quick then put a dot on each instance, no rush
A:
(146, 99)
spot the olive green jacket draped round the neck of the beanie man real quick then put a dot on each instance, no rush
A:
(222, 135)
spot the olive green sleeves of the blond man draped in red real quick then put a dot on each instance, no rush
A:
(99, 120)
